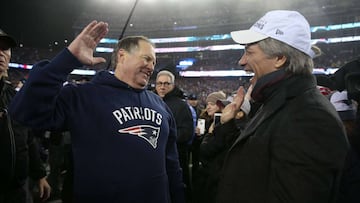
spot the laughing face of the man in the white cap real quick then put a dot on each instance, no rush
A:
(255, 60)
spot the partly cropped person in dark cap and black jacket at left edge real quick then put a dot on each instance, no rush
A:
(19, 152)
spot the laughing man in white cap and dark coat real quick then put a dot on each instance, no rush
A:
(293, 149)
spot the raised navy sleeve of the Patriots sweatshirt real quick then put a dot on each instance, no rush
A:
(36, 104)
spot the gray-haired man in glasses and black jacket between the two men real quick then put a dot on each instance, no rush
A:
(174, 98)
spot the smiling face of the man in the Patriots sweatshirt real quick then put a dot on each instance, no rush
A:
(136, 68)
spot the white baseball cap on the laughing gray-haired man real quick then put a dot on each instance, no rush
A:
(289, 27)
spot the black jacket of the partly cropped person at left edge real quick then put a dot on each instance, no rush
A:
(19, 152)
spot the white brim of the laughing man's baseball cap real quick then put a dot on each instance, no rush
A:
(247, 36)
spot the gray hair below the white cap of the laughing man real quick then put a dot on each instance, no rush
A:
(297, 62)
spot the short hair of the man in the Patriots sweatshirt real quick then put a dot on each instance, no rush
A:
(129, 44)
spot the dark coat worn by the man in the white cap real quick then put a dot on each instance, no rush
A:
(292, 150)
